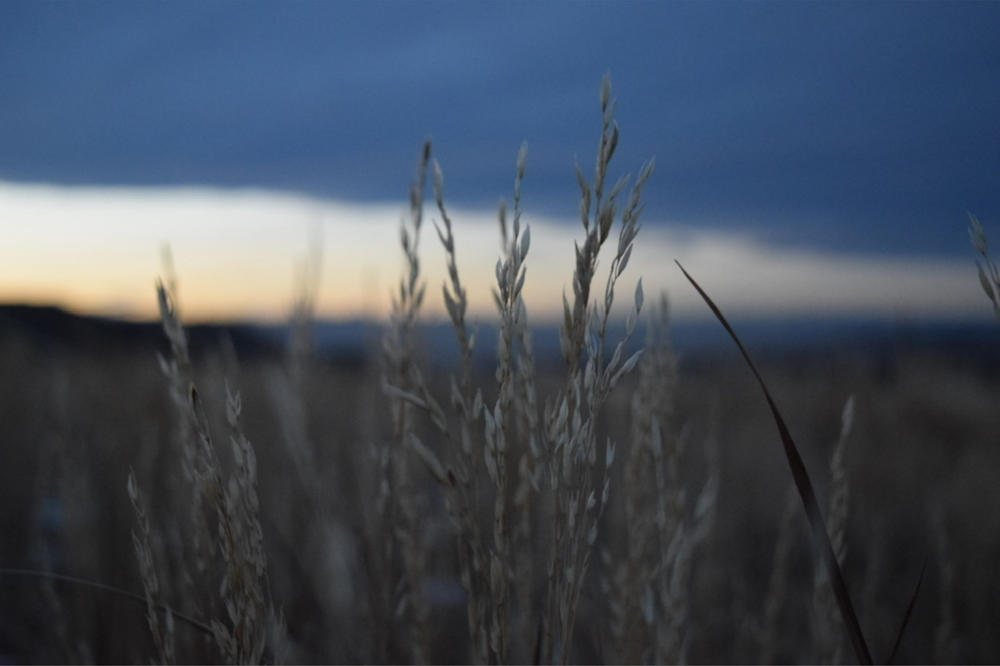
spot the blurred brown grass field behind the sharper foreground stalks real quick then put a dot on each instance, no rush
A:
(82, 401)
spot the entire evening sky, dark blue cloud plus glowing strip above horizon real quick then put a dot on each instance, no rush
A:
(811, 158)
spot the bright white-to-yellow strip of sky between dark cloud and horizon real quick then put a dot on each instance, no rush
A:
(97, 250)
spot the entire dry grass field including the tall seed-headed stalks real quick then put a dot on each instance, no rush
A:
(607, 510)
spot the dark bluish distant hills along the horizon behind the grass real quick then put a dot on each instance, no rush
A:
(351, 343)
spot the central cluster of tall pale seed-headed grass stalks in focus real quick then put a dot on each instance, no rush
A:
(562, 492)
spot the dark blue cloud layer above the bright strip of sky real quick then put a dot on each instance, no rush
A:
(862, 127)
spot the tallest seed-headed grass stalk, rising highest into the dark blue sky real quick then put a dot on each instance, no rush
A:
(573, 435)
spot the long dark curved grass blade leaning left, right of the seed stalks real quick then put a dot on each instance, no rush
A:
(806, 492)
